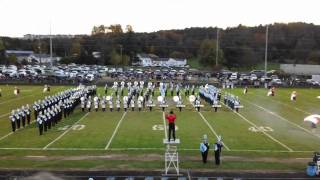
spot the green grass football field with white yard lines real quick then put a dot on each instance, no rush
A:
(268, 133)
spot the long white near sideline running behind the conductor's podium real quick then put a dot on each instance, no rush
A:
(148, 149)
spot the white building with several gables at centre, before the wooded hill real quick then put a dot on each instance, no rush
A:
(153, 60)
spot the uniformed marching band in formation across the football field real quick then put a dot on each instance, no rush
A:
(52, 109)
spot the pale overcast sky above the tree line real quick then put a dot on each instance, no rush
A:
(19, 17)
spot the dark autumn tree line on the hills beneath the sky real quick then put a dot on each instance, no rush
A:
(238, 46)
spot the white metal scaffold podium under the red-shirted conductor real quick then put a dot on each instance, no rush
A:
(171, 157)
